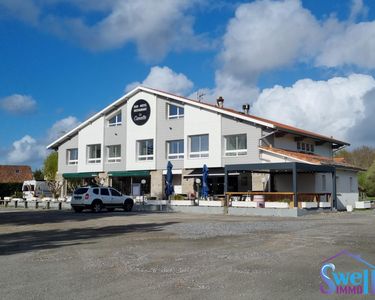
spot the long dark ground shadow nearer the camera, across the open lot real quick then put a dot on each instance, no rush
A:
(20, 242)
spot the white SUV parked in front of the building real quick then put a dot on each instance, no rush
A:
(97, 198)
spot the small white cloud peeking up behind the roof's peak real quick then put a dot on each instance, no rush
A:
(164, 78)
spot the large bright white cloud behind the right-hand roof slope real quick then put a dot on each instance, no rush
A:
(331, 107)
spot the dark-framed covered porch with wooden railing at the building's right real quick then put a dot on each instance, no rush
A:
(297, 172)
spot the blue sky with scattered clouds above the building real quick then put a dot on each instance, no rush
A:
(305, 63)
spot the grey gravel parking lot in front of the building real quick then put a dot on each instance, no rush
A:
(63, 255)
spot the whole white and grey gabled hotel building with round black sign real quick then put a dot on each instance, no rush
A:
(135, 137)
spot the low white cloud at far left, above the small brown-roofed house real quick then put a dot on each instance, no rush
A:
(26, 150)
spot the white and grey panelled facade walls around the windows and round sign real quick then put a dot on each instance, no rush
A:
(196, 119)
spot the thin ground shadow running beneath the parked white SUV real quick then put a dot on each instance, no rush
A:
(35, 217)
